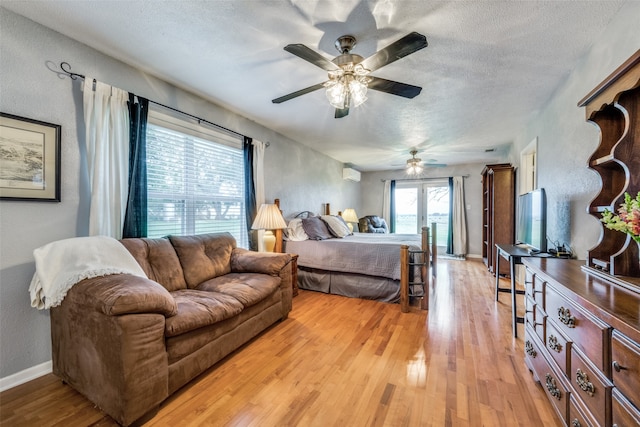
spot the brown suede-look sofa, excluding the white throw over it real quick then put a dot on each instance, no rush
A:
(127, 342)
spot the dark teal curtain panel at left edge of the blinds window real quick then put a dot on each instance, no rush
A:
(135, 218)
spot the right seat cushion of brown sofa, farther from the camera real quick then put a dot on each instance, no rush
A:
(248, 288)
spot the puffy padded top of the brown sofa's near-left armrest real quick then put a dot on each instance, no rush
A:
(118, 294)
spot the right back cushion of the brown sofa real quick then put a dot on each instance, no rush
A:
(204, 256)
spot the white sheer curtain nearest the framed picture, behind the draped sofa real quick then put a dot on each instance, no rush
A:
(106, 119)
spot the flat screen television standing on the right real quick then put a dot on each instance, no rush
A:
(532, 221)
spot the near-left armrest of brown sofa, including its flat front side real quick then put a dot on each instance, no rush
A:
(109, 351)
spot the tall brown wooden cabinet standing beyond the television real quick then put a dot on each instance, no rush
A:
(498, 212)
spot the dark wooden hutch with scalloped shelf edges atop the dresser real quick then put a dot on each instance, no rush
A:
(614, 107)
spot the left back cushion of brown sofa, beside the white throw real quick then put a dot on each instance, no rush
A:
(158, 260)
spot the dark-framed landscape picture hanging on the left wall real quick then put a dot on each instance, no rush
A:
(29, 159)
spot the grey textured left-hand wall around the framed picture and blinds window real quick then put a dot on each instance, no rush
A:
(301, 177)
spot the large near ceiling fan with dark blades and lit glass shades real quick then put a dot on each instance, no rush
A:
(348, 73)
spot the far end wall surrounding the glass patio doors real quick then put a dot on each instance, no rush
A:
(372, 189)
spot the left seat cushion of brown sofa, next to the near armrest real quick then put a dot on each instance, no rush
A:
(197, 309)
